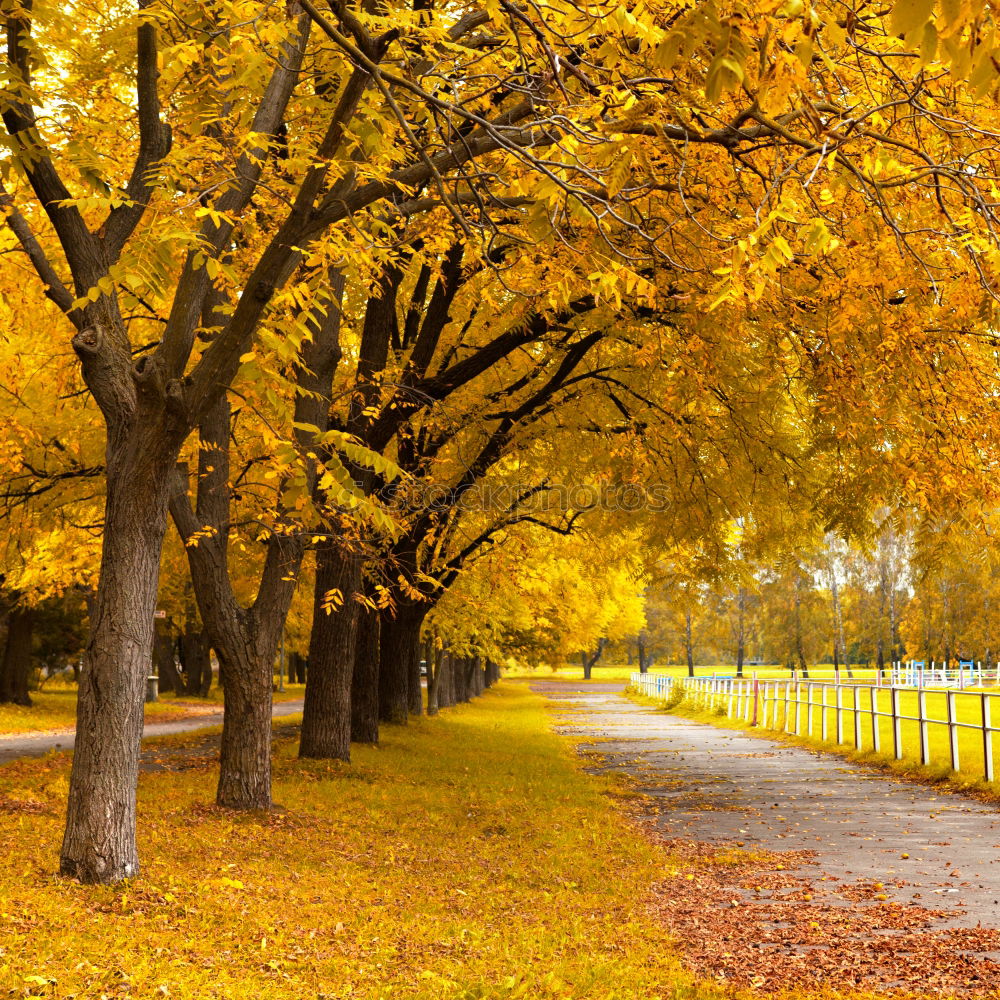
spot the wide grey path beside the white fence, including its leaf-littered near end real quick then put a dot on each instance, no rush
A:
(845, 830)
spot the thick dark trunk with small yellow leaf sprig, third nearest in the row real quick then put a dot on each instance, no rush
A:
(326, 718)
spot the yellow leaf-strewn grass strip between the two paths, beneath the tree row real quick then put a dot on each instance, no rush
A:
(467, 857)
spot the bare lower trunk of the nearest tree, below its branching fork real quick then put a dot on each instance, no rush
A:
(99, 843)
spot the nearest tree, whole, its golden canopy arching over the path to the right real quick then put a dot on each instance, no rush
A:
(703, 141)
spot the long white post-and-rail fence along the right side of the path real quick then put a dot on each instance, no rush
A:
(930, 725)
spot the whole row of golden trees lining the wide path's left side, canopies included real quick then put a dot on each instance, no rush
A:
(358, 297)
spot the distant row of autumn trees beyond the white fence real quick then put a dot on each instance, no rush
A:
(927, 593)
